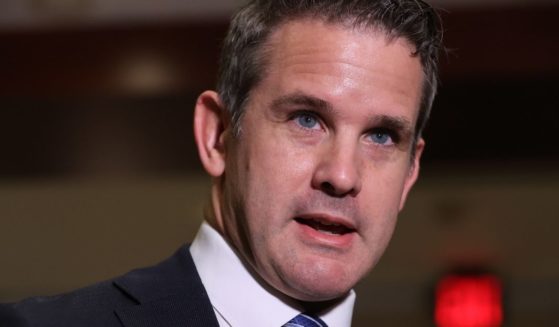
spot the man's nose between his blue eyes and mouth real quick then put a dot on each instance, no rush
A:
(337, 172)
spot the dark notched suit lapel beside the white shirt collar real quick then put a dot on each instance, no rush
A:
(169, 294)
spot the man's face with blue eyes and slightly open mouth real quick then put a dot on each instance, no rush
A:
(314, 183)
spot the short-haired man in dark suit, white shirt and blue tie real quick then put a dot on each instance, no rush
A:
(312, 142)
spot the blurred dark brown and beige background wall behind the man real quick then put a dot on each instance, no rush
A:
(99, 175)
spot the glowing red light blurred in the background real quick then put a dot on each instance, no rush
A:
(469, 301)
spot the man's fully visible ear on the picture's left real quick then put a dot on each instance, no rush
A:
(209, 132)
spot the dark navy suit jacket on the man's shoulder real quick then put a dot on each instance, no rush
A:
(168, 294)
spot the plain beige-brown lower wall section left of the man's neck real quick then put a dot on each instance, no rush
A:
(57, 235)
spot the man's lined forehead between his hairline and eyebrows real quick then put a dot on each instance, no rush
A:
(311, 48)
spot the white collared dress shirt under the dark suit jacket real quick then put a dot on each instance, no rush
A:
(238, 298)
